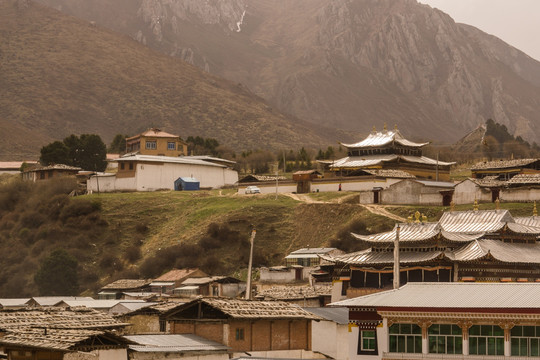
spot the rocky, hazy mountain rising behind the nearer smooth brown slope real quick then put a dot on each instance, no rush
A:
(352, 63)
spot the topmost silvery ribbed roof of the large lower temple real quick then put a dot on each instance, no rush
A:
(475, 221)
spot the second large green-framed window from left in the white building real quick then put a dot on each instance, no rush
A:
(445, 339)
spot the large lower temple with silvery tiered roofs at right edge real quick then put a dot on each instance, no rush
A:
(463, 246)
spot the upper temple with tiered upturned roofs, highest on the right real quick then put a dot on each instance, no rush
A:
(389, 150)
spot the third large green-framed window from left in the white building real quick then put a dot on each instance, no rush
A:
(486, 340)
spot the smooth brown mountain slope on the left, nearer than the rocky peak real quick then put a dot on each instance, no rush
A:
(60, 75)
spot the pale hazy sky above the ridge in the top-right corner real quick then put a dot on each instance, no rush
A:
(517, 22)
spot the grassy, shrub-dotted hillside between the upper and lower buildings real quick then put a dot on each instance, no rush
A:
(131, 235)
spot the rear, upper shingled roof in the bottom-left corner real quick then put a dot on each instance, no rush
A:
(57, 318)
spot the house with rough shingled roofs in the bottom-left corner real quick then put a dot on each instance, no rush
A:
(56, 333)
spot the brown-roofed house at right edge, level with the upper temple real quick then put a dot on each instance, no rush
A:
(505, 169)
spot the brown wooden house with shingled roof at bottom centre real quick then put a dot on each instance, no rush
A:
(262, 328)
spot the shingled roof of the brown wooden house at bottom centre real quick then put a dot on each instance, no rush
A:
(250, 309)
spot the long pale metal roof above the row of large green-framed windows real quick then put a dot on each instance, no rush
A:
(453, 295)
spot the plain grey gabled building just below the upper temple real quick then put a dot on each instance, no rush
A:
(412, 192)
